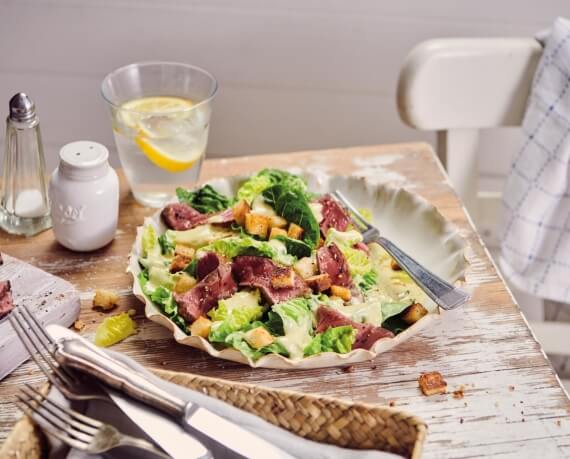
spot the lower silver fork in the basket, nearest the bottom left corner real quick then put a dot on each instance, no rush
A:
(75, 429)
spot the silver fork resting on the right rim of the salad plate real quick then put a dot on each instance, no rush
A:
(447, 296)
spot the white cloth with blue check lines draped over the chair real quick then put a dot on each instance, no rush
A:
(535, 233)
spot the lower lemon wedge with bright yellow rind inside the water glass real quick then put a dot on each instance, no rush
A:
(167, 155)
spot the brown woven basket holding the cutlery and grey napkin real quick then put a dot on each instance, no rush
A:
(323, 419)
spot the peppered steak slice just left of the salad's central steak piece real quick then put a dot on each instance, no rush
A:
(197, 301)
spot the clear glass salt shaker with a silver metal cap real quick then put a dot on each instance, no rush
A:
(24, 203)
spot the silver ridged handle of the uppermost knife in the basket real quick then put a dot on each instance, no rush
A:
(88, 358)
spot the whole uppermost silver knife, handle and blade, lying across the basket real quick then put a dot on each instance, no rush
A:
(223, 438)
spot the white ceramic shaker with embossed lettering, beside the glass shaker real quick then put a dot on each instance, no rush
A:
(84, 193)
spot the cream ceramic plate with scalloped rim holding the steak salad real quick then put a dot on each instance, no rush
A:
(407, 219)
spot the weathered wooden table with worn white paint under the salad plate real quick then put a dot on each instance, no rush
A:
(509, 401)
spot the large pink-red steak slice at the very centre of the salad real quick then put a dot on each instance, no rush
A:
(253, 271)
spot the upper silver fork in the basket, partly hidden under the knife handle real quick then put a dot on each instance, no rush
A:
(41, 348)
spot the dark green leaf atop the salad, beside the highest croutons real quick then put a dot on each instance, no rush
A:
(293, 206)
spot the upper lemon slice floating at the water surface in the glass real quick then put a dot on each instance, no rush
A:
(133, 111)
